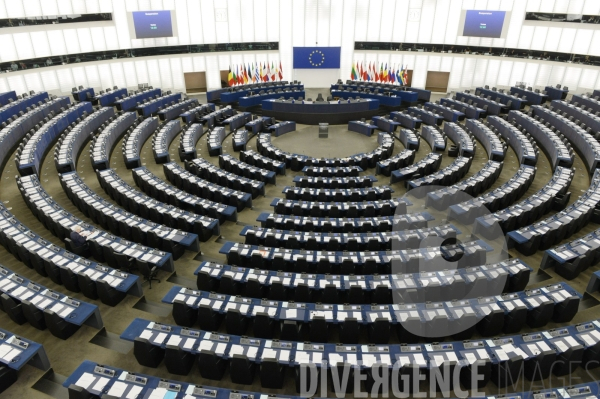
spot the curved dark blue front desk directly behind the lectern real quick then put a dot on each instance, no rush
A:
(313, 113)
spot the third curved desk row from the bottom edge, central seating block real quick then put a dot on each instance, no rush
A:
(489, 315)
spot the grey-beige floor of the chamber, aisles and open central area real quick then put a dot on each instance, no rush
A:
(106, 348)
